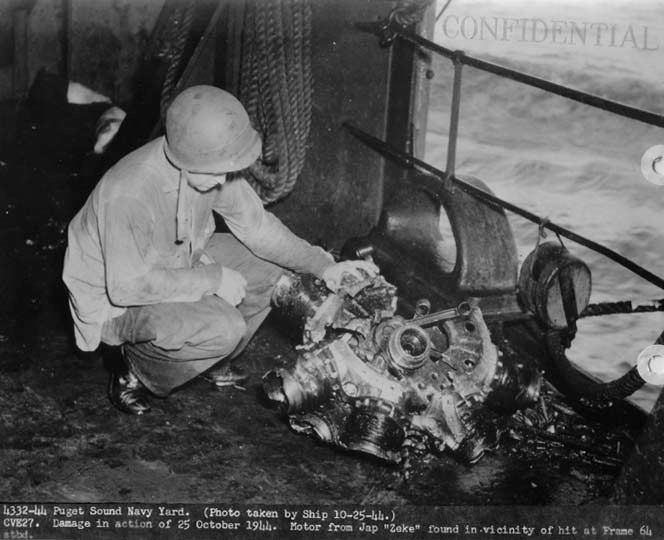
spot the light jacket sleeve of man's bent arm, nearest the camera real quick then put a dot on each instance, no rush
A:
(131, 277)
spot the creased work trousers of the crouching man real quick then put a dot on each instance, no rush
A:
(168, 344)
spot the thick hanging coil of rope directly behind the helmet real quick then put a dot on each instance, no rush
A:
(276, 88)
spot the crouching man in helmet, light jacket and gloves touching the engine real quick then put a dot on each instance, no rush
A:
(146, 271)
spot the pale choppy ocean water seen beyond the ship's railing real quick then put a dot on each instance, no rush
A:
(574, 164)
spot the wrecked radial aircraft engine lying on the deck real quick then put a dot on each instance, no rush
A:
(368, 380)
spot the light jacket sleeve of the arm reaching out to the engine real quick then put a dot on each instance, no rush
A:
(264, 234)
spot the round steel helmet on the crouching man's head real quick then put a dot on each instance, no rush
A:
(208, 131)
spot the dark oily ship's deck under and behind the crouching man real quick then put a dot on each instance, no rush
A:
(61, 440)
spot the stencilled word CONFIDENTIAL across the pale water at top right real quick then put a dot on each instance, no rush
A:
(555, 31)
